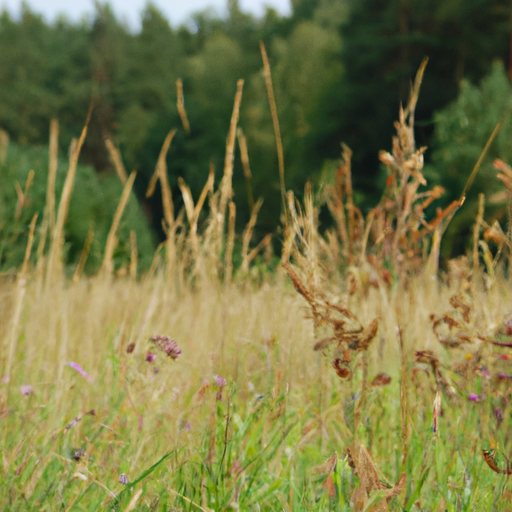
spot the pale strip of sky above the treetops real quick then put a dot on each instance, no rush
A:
(177, 11)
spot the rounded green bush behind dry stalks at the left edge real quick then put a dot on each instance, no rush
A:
(94, 200)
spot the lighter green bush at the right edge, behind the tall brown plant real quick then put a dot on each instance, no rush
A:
(462, 131)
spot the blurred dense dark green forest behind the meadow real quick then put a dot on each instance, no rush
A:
(340, 69)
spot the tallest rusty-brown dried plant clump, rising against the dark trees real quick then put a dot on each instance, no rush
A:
(396, 232)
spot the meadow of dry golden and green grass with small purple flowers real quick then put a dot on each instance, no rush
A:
(348, 373)
